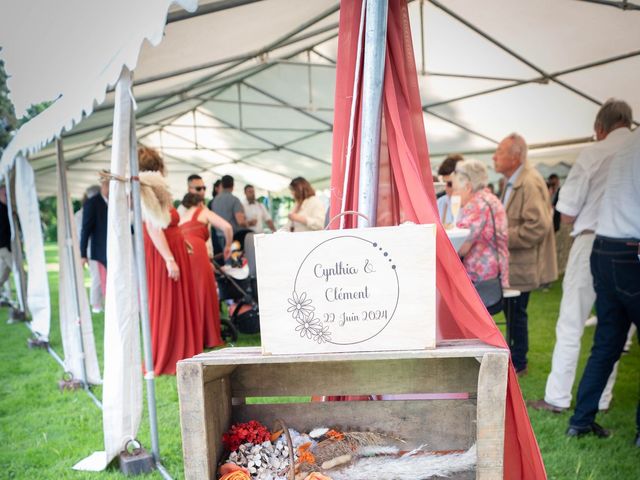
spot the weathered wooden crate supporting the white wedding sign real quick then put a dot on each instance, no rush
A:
(213, 388)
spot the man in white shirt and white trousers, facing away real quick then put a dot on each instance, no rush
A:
(579, 203)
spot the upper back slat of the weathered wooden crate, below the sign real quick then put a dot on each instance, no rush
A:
(440, 375)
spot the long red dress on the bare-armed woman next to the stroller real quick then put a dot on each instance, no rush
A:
(204, 281)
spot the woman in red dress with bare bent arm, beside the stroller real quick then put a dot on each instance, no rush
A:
(195, 221)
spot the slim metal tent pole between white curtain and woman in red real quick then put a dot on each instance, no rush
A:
(142, 287)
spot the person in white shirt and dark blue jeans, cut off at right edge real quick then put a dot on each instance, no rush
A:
(615, 265)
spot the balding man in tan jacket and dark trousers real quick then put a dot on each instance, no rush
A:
(532, 249)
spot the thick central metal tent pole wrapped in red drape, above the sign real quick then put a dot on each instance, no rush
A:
(375, 39)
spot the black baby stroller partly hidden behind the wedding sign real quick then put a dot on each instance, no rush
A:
(237, 287)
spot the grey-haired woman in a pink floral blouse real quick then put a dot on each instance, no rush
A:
(485, 256)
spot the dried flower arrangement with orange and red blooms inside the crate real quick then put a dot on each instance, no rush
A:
(329, 454)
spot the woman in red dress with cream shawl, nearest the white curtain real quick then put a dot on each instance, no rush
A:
(173, 307)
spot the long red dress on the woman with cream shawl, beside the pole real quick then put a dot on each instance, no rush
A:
(173, 306)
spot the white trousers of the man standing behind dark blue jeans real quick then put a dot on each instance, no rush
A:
(578, 297)
